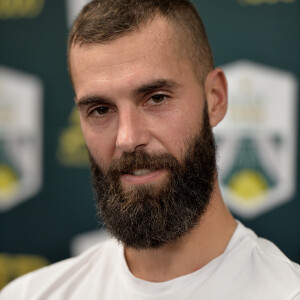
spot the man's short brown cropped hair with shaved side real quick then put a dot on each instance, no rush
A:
(105, 20)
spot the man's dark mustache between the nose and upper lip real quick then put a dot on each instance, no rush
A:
(128, 162)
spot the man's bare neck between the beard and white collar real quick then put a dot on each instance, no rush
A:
(191, 252)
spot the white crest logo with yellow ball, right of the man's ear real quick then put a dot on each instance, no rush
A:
(257, 138)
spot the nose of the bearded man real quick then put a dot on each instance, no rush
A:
(132, 131)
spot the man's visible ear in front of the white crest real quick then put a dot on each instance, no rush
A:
(215, 88)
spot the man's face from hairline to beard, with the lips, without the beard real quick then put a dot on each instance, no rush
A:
(138, 94)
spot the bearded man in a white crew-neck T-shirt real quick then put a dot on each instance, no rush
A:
(148, 96)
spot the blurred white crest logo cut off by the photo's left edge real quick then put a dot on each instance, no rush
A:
(20, 137)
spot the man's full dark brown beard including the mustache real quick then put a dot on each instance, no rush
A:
(150, 216)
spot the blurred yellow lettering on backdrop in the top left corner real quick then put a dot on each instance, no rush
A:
(20, 9)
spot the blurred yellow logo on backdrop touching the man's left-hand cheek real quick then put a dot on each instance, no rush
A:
(72, 150)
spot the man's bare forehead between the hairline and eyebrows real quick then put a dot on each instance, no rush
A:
(151, 50)
